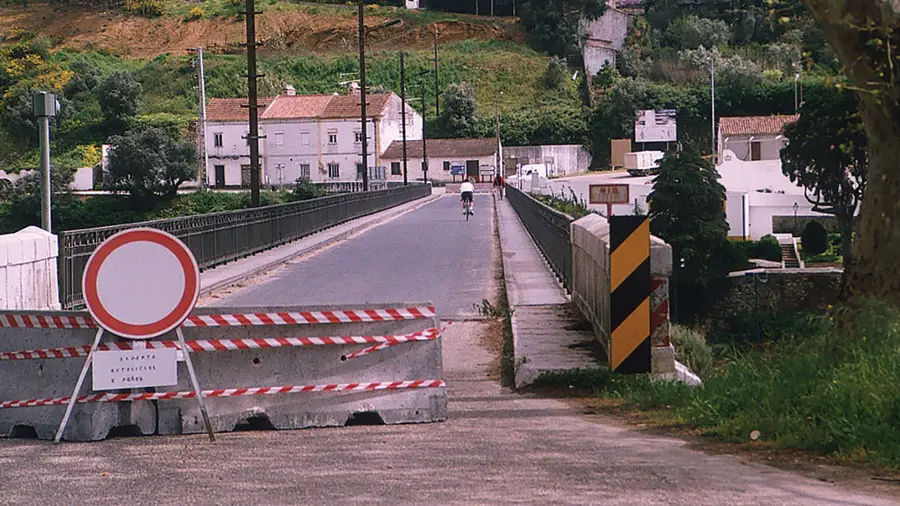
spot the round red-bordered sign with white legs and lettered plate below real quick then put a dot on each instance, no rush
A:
(139, 284)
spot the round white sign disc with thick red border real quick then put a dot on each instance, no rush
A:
(141, 283)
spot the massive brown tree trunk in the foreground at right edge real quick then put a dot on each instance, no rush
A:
(865, 35)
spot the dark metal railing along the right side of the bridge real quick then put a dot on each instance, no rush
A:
(550, 230)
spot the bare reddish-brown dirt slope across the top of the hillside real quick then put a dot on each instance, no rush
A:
(281, 31)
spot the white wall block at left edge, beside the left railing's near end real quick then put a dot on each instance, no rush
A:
(28, 270)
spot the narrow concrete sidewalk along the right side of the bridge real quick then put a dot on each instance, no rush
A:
(548, 333)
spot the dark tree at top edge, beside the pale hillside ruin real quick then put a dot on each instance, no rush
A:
(556, 26)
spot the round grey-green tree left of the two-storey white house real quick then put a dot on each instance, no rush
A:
(148, 163)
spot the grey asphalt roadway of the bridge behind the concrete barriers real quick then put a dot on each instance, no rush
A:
(430, 254)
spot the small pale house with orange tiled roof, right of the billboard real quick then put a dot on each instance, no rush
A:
(752, 138)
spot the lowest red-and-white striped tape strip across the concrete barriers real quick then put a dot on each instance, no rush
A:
(232, 392)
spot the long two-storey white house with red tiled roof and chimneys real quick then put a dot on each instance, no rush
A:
(312, 137)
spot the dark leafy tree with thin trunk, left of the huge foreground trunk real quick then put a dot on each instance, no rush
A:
(827, 154)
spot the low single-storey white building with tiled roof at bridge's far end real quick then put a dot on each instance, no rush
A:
(478, 156)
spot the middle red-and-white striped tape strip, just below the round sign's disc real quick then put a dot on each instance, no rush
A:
(226, 345)
